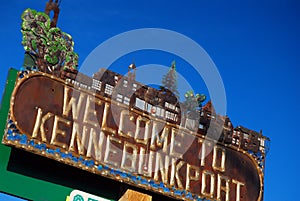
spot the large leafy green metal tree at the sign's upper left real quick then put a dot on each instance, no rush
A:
(52, 48)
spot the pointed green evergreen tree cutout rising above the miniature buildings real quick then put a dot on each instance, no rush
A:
(169, 80)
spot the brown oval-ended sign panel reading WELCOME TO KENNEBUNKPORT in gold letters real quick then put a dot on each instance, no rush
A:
(51, 117)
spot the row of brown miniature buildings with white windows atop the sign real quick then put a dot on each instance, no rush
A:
(165, 105)
